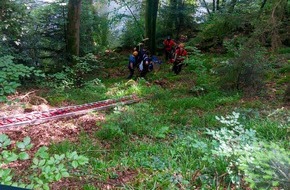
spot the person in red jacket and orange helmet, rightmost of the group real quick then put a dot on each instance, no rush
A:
(180, 55)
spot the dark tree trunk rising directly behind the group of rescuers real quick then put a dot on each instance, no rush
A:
(150, 23)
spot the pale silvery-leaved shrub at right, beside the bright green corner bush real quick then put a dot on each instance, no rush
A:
(230, 143)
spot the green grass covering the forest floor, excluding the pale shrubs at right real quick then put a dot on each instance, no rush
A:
(163, 138)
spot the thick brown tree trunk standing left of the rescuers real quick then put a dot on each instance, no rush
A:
(73, 27)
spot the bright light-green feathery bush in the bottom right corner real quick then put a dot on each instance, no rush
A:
(266, 167)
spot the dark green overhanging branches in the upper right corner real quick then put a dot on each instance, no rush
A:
(249, 20)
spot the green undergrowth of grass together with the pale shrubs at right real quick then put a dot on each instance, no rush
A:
(187, 134)
